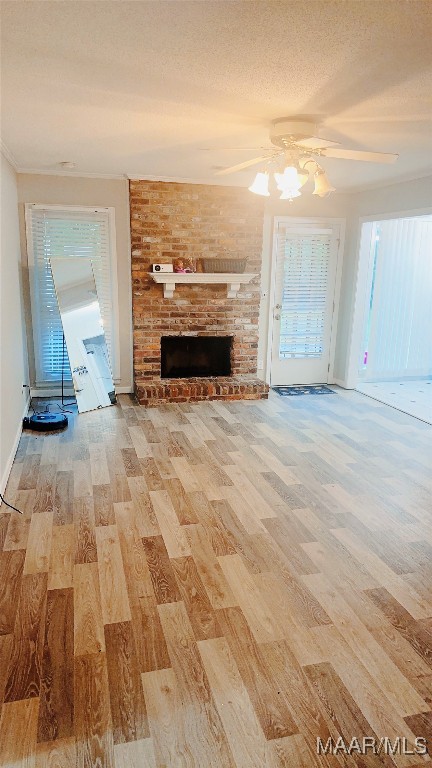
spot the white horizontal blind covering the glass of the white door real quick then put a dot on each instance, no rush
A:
(304, 257)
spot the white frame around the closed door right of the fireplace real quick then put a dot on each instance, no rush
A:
(326, 221)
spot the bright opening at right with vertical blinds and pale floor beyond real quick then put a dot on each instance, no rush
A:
(395, 361)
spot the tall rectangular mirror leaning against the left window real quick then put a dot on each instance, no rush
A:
(83, 330)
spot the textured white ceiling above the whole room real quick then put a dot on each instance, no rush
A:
(140, 88)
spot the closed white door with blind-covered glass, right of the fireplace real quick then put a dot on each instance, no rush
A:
(306, 264)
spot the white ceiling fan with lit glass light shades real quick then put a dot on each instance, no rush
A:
(296, 146)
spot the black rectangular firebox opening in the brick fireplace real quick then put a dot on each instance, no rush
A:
(183, 357)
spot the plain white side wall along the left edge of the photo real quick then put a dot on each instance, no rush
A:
(13, 352)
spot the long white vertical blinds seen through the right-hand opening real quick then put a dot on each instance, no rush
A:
(397, 335)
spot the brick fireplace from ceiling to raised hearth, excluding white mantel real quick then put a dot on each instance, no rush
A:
(190, 221)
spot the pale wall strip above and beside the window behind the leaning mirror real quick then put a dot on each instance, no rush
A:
(71, 190)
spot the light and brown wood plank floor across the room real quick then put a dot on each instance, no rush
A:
(218, 584)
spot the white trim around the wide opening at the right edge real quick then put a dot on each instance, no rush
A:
(361, 286)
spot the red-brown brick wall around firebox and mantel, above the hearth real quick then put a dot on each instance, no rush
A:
(169, 221)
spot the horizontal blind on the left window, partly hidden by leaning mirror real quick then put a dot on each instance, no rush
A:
(56, 234)
